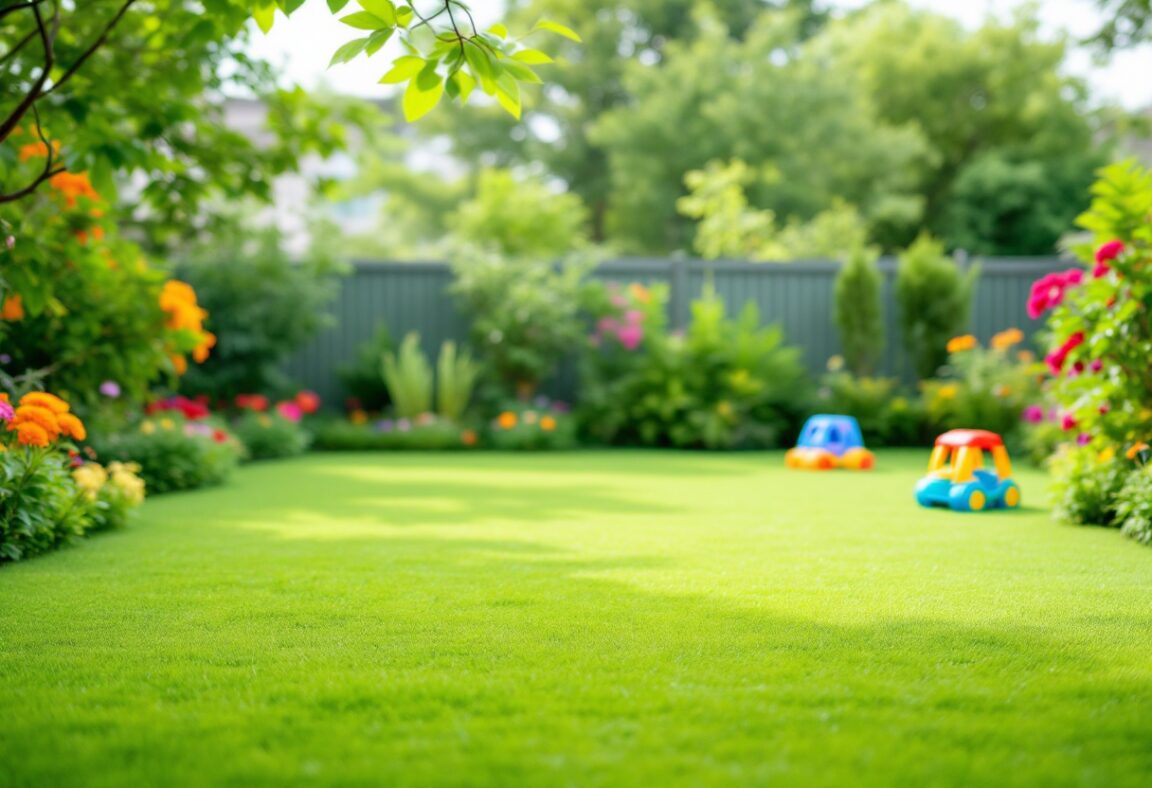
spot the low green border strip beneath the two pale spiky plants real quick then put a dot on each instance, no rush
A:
(425, 434)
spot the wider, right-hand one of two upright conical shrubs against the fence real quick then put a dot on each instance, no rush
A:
(935, 301)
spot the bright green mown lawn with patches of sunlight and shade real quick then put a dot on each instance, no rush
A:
(583, 619)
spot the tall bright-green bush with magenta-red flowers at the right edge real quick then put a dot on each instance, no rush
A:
(1100, 351)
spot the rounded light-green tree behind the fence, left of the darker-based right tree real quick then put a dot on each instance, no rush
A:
(762, 100)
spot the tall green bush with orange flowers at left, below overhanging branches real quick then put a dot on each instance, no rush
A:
(79, 304)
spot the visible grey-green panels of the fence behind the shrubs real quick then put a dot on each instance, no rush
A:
(799, 297)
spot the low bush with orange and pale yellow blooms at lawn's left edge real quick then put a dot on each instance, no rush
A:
(44, 503)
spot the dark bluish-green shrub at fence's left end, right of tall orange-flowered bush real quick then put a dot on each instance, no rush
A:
(264, 307)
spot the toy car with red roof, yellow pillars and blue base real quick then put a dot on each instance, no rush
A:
(957, 476)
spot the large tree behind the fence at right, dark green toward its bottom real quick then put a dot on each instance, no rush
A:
(994, 107)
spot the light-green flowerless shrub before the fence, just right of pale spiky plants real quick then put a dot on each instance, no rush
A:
(526, 315)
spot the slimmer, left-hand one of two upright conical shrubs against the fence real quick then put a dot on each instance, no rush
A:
(860, 313)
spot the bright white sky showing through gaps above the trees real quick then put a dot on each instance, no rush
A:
(304, 47)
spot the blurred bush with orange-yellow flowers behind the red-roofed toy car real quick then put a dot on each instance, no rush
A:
(988, 389)
